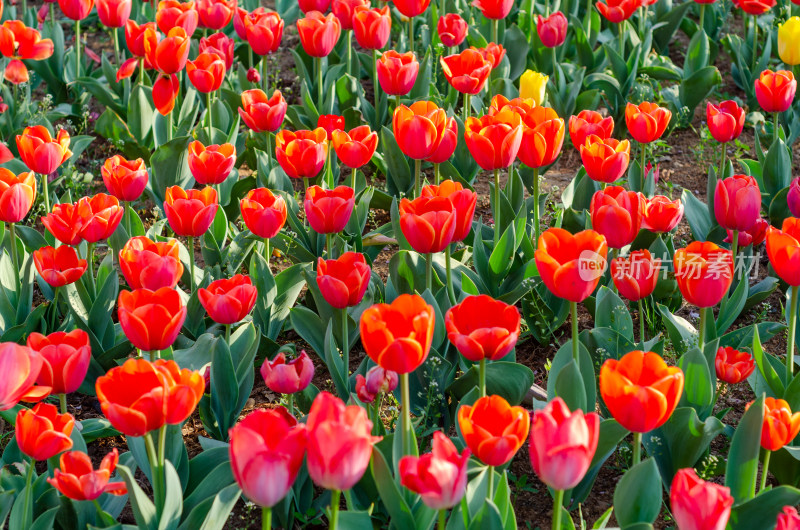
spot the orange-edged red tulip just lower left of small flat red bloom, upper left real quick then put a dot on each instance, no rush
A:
(302, 154)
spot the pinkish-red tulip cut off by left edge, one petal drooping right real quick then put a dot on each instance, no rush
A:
(20, 367)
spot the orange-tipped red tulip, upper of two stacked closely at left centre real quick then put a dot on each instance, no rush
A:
(150, 265)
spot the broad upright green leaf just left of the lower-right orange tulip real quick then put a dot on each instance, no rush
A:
(742, 467)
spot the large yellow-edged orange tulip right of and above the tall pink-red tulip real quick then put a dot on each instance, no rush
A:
(640, 390)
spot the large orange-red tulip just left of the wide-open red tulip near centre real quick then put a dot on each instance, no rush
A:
(398, 336)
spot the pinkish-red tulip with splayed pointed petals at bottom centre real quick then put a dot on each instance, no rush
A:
(439, 477)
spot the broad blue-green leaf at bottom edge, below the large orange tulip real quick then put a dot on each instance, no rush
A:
(637, 497)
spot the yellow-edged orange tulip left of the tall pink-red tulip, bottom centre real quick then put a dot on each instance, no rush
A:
(494, 430)
